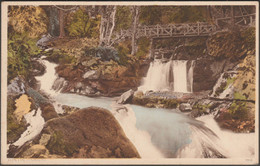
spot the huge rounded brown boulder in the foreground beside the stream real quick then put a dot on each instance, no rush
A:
(90, 132)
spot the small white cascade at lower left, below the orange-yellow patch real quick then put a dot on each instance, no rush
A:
(36, 123)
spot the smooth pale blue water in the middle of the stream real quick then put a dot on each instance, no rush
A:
(168, 129)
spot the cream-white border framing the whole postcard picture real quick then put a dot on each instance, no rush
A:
(5, 160)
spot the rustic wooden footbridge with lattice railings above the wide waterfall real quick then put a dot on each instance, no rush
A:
(170, 30)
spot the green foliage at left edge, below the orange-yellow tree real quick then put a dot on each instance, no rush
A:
(20, 51)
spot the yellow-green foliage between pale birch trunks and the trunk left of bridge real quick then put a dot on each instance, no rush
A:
(123, 18)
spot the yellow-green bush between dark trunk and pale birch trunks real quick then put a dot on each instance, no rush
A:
(81, 25)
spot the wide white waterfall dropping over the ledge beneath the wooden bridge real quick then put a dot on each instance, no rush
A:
(170, 76)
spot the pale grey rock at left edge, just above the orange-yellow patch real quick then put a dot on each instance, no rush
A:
(16, 86)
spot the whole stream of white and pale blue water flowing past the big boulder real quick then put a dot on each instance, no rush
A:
(157, 132)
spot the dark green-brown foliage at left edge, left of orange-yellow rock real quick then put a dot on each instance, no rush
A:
(14, 128)
